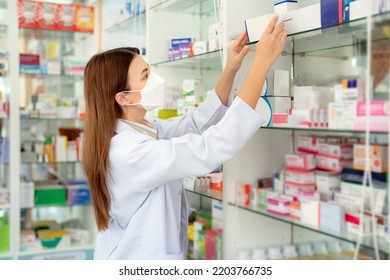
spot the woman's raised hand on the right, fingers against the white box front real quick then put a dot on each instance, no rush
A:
(271, 44)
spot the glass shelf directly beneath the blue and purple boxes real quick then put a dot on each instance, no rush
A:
(205, 61)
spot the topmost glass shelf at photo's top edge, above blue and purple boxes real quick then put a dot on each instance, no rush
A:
(195, 7)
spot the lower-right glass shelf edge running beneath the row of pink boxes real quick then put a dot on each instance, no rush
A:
(383, 249)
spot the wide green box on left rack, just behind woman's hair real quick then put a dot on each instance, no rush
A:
(50, 195)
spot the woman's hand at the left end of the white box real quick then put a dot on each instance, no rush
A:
(236, 53)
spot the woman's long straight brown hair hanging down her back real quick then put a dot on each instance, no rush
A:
(104, 76)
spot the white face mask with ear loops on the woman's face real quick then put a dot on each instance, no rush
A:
(152, 95)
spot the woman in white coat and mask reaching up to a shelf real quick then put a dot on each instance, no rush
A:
(134, 168)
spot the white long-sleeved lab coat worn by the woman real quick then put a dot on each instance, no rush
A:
(148, 206)
